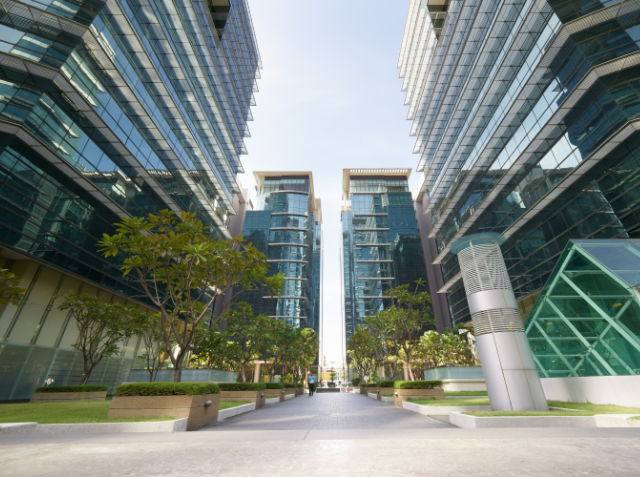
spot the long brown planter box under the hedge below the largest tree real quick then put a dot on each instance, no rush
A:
(194, 408)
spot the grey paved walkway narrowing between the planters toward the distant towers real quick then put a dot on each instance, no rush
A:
(331, 411)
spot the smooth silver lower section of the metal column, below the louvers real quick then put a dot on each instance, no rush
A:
(510, 372)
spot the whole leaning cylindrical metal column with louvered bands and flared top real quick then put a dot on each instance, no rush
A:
(509, 370)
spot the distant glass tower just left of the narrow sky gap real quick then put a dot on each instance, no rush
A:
(286, 225)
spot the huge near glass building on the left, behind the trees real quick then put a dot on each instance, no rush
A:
(108, 109)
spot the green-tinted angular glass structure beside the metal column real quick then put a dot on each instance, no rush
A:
(586, 321)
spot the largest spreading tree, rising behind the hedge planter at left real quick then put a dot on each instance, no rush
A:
(183, 271)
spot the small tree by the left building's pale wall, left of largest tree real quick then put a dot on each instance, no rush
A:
(101, 326)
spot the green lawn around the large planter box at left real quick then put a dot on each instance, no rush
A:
(74, 412)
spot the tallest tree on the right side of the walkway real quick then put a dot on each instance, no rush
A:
(403, 321)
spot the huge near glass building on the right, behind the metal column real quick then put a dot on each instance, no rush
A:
(525, 115)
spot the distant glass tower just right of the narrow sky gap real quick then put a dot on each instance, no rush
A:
(380, 246)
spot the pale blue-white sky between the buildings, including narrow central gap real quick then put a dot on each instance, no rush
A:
(329, 99)
